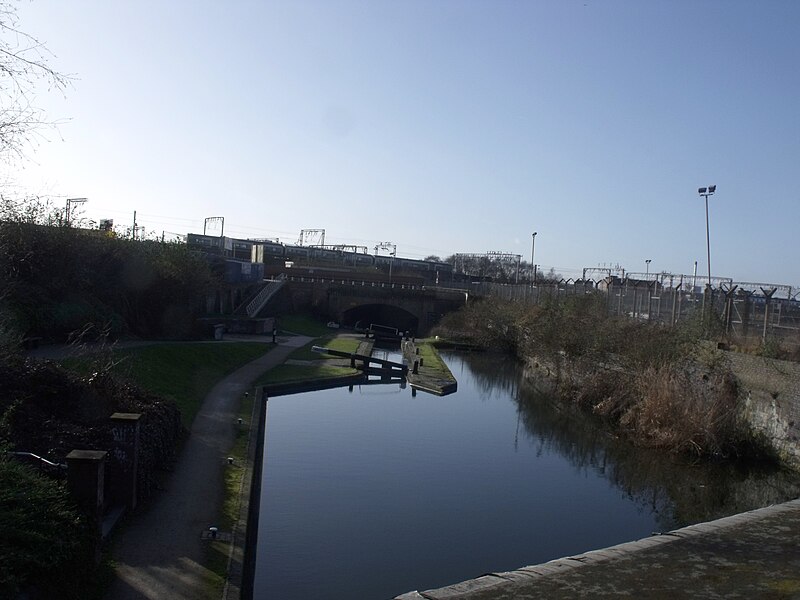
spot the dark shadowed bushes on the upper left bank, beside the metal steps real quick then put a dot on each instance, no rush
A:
(62, 280)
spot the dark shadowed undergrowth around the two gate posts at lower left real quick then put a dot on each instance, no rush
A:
(46, 547)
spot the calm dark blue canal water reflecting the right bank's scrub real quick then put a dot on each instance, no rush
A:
(374, 492)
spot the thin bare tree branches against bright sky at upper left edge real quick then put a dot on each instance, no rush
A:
(24, 66)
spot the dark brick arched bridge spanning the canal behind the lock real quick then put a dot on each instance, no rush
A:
(349, 302)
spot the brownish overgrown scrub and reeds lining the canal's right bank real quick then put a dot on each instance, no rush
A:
(651, 382)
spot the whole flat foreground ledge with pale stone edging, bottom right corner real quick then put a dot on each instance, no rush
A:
(750, 555)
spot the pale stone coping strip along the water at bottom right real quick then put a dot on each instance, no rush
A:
(528, 575)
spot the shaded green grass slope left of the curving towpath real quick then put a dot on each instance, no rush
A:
(184, 372)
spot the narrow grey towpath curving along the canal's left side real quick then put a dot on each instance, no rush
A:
(159, 553)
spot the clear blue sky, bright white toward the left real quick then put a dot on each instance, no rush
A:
(441, 126)
